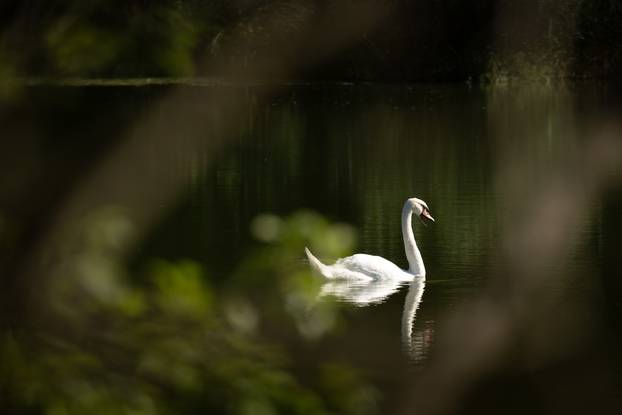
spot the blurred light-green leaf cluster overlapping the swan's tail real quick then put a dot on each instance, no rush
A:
(295, 290)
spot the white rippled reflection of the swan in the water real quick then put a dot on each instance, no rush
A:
(365, 293)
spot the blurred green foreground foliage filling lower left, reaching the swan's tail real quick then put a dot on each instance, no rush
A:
(105, 341)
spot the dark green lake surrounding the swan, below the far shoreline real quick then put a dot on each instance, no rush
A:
(218, 187)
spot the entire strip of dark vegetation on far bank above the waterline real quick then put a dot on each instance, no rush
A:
(493, 40)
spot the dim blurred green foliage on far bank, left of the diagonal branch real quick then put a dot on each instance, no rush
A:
(110, 39)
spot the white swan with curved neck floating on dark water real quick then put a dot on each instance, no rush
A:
(373, 268)
